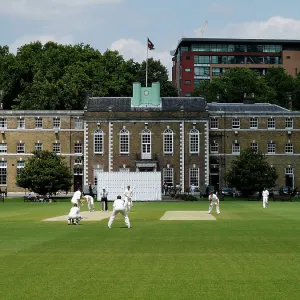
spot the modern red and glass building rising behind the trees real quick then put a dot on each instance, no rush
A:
(195, 60)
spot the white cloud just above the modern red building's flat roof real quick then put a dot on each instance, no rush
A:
(274, 28)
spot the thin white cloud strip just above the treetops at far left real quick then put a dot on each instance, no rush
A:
(42, 38)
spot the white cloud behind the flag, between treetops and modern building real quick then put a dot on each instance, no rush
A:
(137, 50)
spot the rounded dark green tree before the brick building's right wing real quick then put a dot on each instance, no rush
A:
(251, 172)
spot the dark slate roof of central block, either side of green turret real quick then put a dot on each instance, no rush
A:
(168, 104)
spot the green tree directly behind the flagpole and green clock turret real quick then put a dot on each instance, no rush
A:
(156, 73)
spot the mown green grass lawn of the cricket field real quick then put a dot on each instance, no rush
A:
(247, 253)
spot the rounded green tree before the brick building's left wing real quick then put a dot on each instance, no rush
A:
(45, 173)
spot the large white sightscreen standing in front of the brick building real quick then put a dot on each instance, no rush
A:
(146, 186)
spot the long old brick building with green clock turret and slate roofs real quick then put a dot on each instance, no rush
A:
(186, 139)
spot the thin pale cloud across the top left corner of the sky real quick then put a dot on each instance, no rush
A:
(44, 9)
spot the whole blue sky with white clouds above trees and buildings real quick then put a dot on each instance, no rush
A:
(124, 25)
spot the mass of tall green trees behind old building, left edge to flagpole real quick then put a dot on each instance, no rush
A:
(54, 76)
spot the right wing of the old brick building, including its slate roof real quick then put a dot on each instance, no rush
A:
(269, 128)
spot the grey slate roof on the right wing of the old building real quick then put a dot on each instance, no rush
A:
(257, 108)
